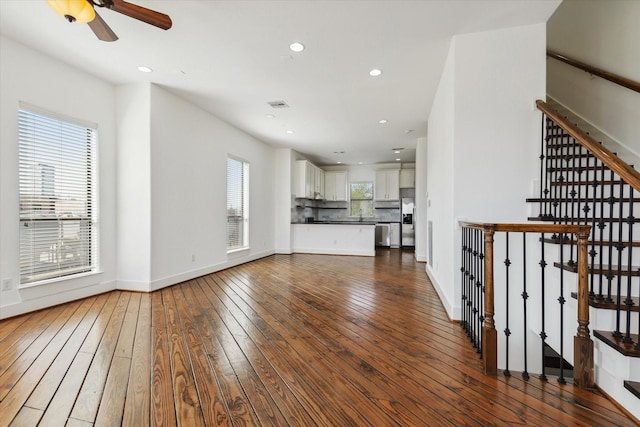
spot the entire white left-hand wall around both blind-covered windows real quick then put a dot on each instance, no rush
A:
(162, 172)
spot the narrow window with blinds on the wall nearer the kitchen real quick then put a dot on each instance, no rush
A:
(237, 204)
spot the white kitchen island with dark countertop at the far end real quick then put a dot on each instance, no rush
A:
(335, 238)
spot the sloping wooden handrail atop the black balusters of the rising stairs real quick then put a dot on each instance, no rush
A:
(613, 162)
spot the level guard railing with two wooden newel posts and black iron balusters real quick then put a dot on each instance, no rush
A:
(478, 295)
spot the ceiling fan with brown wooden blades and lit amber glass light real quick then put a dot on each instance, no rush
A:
(83, 11)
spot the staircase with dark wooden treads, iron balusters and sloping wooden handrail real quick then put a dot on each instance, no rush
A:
(583, 182)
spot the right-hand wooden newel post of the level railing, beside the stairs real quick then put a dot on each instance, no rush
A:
(583, 374)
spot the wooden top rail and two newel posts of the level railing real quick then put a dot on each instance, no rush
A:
(583, 344)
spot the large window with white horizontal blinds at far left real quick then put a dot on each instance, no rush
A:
(57, 173)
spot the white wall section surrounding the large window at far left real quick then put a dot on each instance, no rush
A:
(32, 77)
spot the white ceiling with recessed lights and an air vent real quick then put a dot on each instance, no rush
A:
(232, 57)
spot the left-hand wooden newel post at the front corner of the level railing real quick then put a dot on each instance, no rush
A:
(489, 333)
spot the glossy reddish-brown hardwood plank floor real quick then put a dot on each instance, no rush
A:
(299, 340)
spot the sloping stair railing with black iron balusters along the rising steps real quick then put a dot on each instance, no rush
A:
(573, 162)
